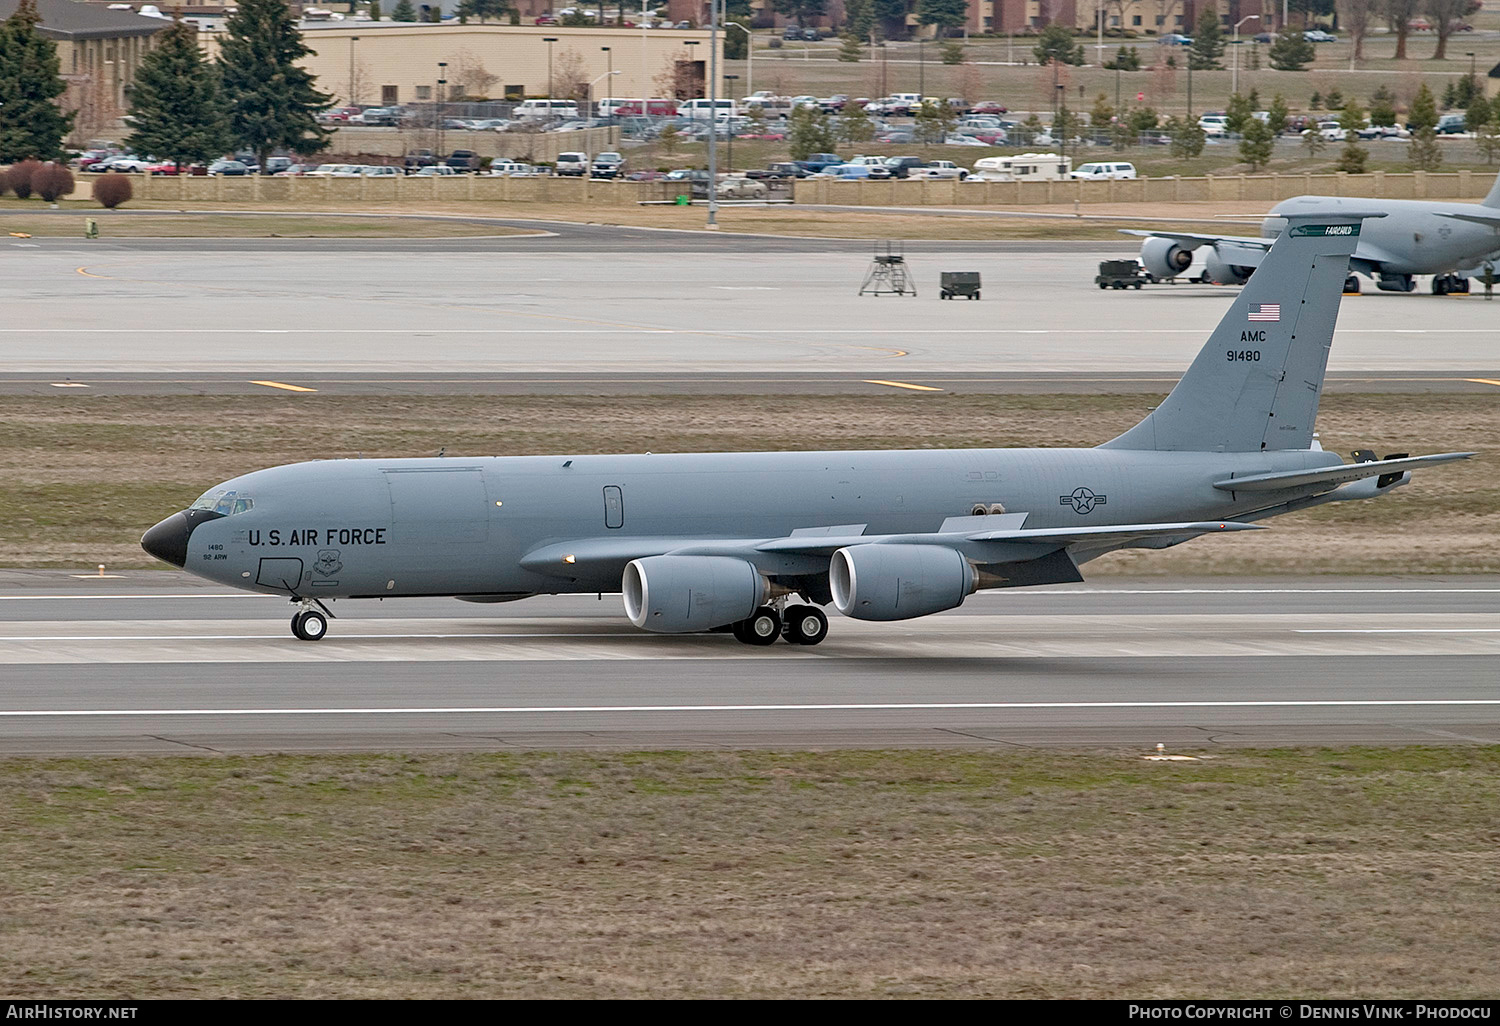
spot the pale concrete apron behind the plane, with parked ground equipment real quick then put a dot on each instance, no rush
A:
(634, 302)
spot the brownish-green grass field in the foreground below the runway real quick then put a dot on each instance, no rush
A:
(1273, 874)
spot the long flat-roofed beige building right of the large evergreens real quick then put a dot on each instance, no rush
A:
(403, 64)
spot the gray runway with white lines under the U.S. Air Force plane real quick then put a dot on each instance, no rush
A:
(158, 662)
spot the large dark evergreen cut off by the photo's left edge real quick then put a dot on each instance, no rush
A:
(31, 122)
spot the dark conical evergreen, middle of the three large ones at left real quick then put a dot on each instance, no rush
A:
(175, 104)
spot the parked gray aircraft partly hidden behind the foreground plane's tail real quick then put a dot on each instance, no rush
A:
(1450, 241)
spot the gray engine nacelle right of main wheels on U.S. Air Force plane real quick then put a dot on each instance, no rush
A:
(899, 581)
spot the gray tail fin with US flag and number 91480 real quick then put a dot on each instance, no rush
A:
(1258, 382)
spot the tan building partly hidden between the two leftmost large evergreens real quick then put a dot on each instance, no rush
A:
(98, 52)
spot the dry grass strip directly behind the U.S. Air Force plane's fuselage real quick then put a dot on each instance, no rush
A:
(76, 494)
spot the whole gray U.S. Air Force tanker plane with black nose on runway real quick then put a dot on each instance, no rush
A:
(701, 542)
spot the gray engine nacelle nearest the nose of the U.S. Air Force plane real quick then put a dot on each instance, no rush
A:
(682, 595)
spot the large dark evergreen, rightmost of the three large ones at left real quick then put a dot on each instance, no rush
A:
(271, 101)
